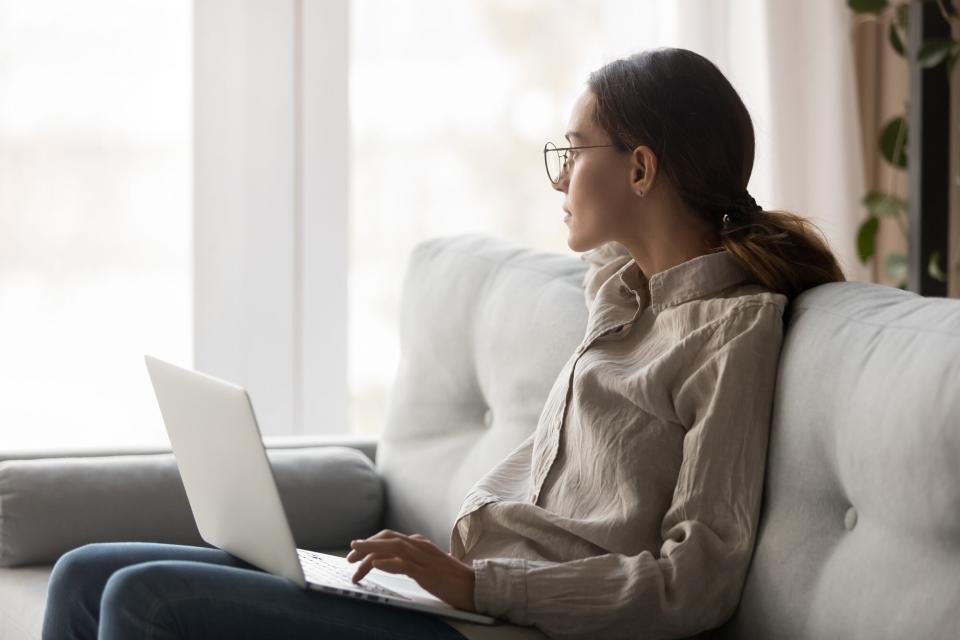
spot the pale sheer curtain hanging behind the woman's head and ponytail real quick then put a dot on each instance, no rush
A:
(793, 65)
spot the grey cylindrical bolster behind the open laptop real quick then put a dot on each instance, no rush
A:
(50, 505)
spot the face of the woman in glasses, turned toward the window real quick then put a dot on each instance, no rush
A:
(599, 198)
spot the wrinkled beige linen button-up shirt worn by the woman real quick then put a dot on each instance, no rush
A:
(631, 511)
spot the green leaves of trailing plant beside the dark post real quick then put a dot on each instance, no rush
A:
(892, 142)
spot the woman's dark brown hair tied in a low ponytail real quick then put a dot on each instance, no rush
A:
(681, 105)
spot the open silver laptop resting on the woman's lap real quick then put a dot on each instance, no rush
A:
(234, 498)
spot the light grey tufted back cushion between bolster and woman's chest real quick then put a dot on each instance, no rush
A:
(485, 327)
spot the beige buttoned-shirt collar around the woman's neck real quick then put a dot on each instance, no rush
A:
(696, 278)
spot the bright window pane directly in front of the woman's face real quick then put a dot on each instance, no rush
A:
(450, 107)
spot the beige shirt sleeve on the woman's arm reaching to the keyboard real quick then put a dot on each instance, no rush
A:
(695, 581)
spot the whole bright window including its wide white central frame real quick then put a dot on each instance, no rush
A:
(100, 201)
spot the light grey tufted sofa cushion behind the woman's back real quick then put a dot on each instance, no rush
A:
(860, 520)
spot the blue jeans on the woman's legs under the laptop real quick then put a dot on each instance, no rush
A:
(130, 590)
